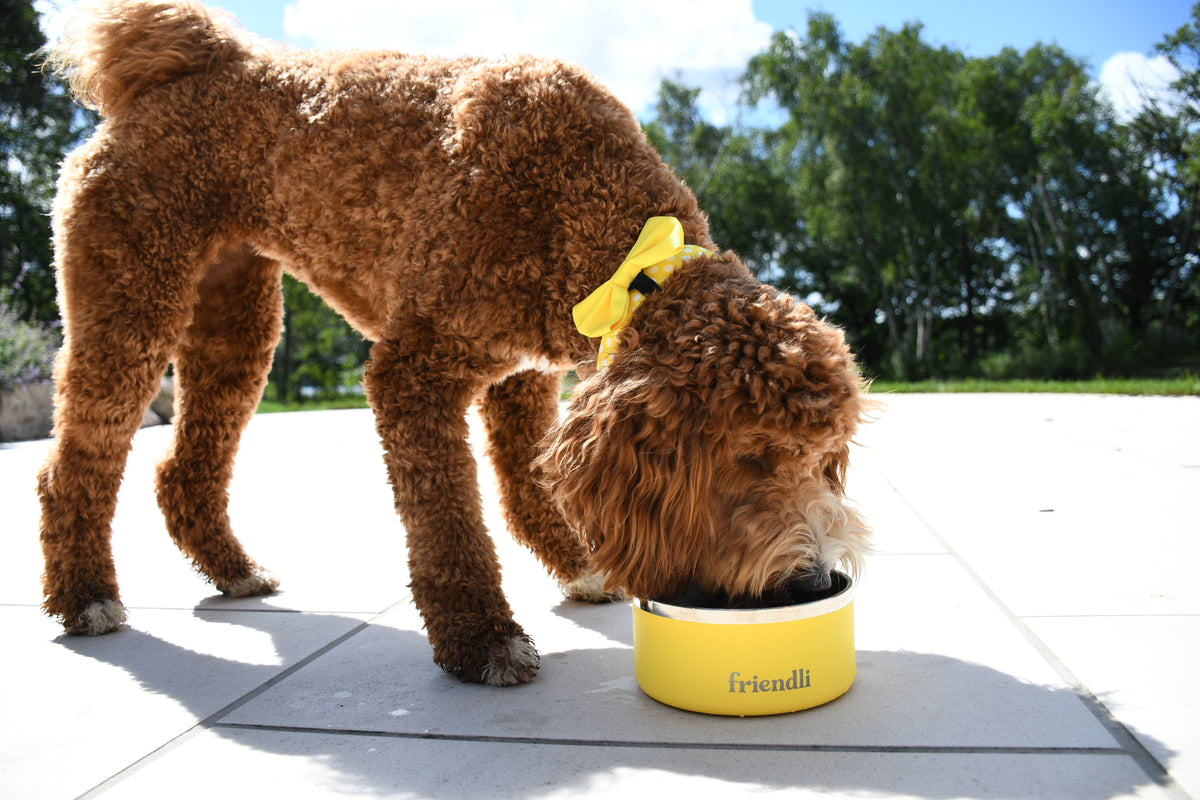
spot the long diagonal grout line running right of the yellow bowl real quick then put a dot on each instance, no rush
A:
(1130, 744)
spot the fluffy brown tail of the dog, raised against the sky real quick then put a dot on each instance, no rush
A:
(117, 50)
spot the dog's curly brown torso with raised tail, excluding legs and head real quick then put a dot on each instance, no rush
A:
(373, 173)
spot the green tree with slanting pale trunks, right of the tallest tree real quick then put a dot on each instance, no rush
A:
(1058, 151)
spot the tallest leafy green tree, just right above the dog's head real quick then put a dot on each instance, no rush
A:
(879, 163)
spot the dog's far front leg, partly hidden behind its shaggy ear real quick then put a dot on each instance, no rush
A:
(518, 412)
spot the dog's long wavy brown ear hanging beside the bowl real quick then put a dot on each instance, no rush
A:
(632, 473)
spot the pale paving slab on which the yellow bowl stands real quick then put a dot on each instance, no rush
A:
(938, 670)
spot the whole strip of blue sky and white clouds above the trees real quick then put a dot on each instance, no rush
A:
(633, 45)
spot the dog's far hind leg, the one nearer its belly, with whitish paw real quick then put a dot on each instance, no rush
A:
(221, 369)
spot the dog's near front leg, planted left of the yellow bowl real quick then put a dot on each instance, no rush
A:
(421, 414)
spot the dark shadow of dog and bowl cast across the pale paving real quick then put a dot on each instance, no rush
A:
(883, 737)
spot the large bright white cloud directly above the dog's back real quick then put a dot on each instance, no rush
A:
(629, 45)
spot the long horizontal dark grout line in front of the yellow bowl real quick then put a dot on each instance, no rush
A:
(950, 750)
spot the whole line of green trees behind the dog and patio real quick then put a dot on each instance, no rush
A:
(961, 218)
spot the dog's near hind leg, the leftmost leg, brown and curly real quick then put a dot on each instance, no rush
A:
(122, 321)
